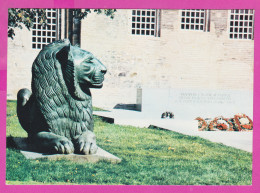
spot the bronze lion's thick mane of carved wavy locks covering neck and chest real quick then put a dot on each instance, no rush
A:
(66, 109)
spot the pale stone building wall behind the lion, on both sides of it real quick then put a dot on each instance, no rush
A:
(176, 59)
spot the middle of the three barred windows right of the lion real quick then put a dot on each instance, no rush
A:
(193, 19)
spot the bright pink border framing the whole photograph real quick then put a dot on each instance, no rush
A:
(162, 4)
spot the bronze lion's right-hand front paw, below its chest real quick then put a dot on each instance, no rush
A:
(86, 143)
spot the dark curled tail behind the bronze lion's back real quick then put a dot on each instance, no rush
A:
(23, 108)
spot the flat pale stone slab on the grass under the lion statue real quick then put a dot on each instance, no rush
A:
(101, 154)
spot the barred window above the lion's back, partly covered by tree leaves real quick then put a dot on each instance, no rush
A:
(43, 35)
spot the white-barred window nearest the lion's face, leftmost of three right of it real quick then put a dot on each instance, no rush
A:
(145, 22)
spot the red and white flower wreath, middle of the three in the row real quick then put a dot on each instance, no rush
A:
(220, 123)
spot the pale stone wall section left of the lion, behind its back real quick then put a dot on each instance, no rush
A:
(19, 62)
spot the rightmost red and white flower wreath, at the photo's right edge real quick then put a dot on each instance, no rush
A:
(243, 122)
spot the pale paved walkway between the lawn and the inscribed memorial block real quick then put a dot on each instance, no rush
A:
(239, 140)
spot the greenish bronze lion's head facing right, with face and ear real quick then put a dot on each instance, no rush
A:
(81, 68)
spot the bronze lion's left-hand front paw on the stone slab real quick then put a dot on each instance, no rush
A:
(63, 145)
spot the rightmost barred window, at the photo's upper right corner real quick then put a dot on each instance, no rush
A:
(241, 24)
